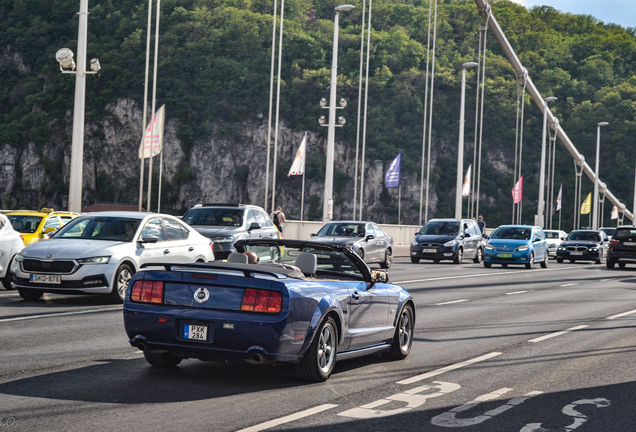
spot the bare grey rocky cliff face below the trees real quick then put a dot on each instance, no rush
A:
(227, 168)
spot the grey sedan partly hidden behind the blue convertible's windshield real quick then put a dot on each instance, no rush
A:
(367, 239)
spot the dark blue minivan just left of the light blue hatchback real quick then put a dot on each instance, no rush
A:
(448, 239)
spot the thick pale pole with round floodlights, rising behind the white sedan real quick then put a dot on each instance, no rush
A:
(65, 58)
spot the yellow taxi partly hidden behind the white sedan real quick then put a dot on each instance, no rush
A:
(34, 225)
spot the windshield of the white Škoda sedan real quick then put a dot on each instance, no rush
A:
(100, 228)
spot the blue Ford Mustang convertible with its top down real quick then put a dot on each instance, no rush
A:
(304, 303)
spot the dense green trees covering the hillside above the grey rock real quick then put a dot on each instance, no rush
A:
(215, 66)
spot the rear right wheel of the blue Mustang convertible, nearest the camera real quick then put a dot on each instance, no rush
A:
(320, 358)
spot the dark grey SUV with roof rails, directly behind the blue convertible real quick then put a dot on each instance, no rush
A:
(225, 224)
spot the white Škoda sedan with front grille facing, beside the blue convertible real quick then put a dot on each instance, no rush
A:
(98, 253)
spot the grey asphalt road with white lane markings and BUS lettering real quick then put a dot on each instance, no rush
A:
(495, 350)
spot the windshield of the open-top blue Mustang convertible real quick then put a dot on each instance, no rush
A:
(330, 263)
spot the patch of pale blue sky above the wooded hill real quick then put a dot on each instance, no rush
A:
(622, 12)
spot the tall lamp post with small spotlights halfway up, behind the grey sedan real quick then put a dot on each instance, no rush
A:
(327, 210)
